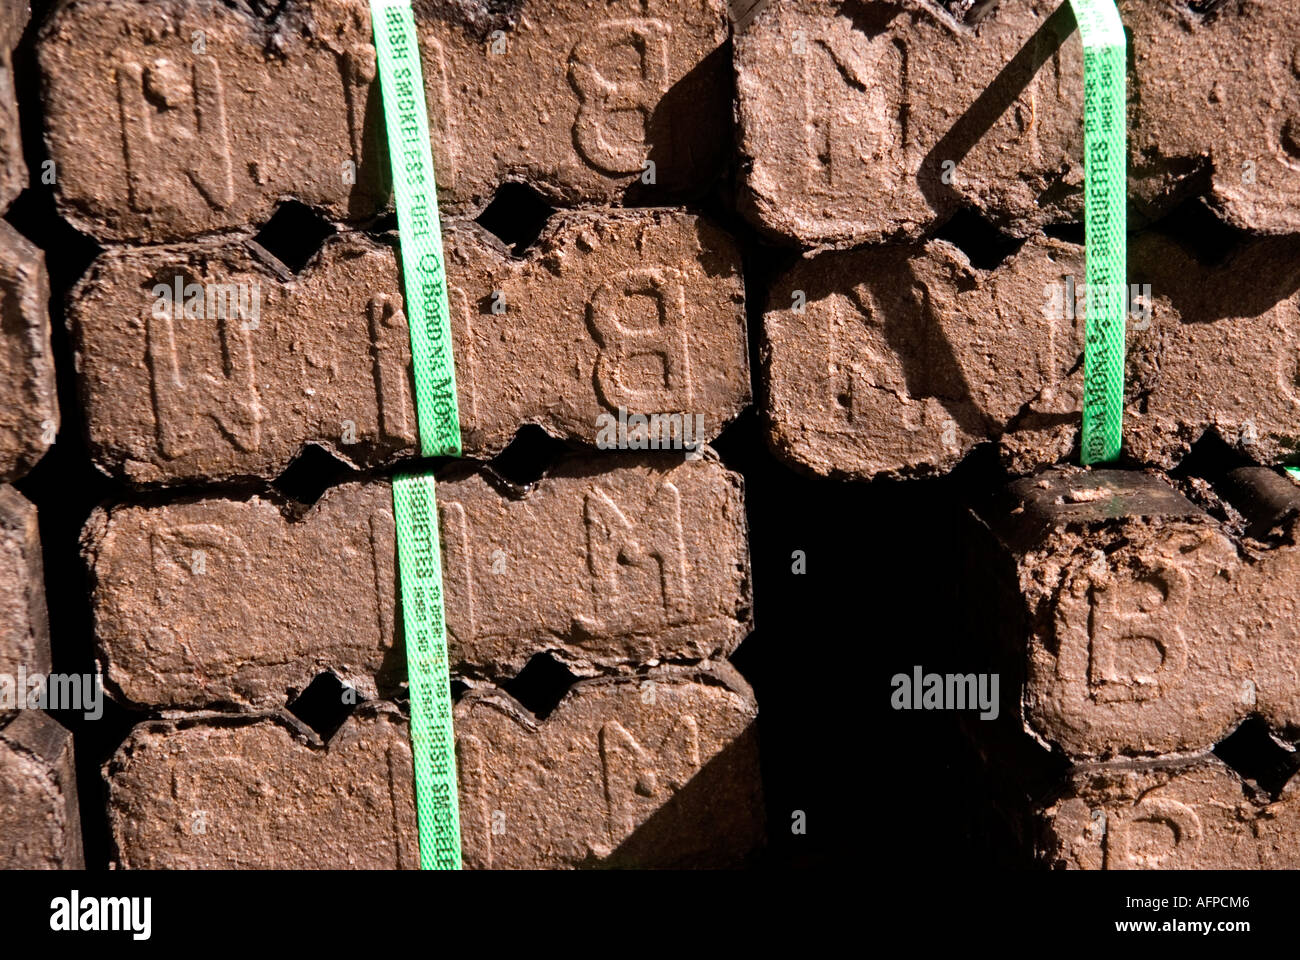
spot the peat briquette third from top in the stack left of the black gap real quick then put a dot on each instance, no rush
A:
(605, 565)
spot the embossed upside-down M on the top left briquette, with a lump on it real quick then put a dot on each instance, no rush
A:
(175, 119)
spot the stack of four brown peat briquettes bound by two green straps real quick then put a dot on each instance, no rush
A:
(246, 317)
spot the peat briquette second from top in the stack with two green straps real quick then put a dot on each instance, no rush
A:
(643, 310)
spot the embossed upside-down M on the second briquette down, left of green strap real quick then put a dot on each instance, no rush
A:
(184, 400)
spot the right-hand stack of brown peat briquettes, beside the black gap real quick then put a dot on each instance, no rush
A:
(1142, 625)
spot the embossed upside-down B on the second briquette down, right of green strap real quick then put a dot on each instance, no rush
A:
(623, 378)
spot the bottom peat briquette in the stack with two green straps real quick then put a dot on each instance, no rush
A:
(656, 771)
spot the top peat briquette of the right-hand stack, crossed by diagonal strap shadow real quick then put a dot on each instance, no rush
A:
(877, 120)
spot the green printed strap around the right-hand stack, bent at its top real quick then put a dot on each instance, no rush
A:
(1106, 227)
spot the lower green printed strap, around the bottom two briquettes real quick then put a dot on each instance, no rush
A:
(434, 746)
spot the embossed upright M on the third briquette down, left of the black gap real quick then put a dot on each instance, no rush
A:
(613, 548)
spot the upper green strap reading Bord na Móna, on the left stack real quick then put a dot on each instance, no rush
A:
(419, 232)
